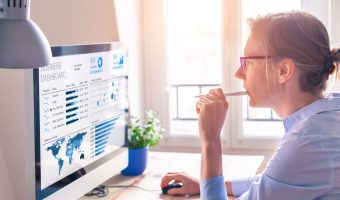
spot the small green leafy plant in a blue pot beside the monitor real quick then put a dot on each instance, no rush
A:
(140, 138)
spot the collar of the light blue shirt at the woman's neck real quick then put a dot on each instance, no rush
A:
(329, 103)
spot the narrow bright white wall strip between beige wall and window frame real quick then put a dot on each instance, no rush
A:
(130, 32)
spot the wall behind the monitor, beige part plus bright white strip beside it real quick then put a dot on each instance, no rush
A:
(88, 21)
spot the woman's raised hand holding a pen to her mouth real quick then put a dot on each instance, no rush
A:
(211, 109)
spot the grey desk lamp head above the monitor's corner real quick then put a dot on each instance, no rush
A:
(22, 44)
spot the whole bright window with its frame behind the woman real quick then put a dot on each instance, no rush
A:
(192, 46)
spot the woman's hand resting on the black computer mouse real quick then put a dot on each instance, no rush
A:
(190, 184)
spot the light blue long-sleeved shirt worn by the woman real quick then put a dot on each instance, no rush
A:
(305, 165)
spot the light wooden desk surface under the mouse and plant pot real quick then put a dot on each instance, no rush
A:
(159, 163)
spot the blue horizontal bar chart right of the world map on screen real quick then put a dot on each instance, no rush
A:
(102, 132)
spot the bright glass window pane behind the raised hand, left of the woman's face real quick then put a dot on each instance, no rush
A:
(193, 58)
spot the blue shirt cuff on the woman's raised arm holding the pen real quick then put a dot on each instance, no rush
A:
(213, 189)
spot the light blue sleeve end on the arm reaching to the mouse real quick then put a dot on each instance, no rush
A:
(240, 186)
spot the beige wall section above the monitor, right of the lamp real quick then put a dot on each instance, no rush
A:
(76, 21)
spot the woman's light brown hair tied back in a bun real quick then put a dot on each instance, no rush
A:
(303, 38)
